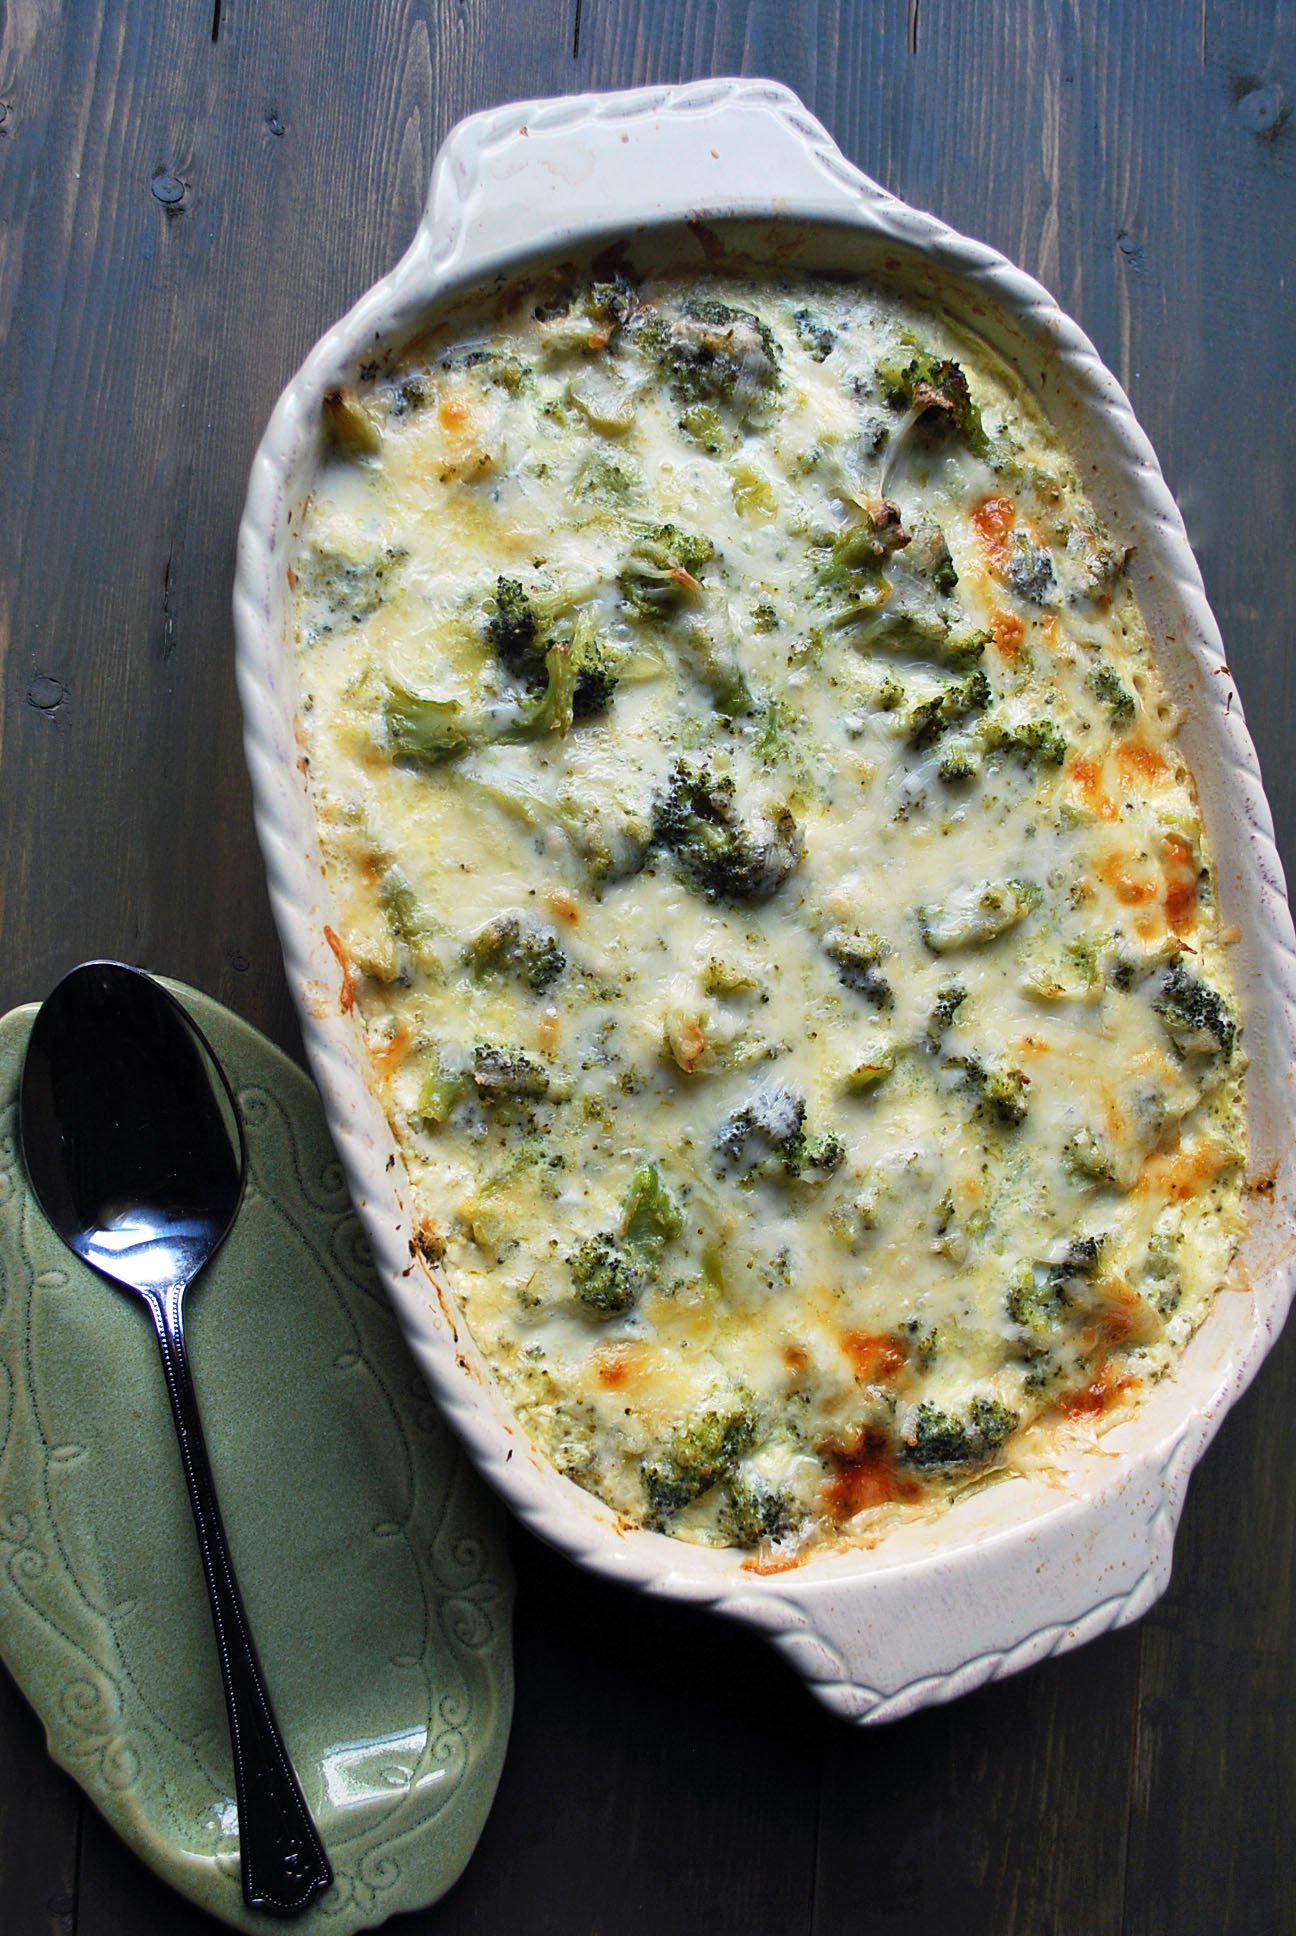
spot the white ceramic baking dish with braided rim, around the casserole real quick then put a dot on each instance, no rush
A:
(1028, 1567)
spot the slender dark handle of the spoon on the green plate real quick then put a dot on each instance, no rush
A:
(282, 1858)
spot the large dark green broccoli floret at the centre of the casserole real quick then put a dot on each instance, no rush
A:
(698, 824)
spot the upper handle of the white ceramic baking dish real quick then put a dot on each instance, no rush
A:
(543, 167)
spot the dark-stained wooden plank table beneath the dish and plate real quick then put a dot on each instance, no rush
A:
(189, 195)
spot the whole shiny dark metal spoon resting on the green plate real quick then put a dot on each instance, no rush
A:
(135, 1151)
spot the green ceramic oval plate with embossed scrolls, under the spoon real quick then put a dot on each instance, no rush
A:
(371, 1561)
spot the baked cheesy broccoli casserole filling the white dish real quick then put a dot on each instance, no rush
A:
(776, 905)
